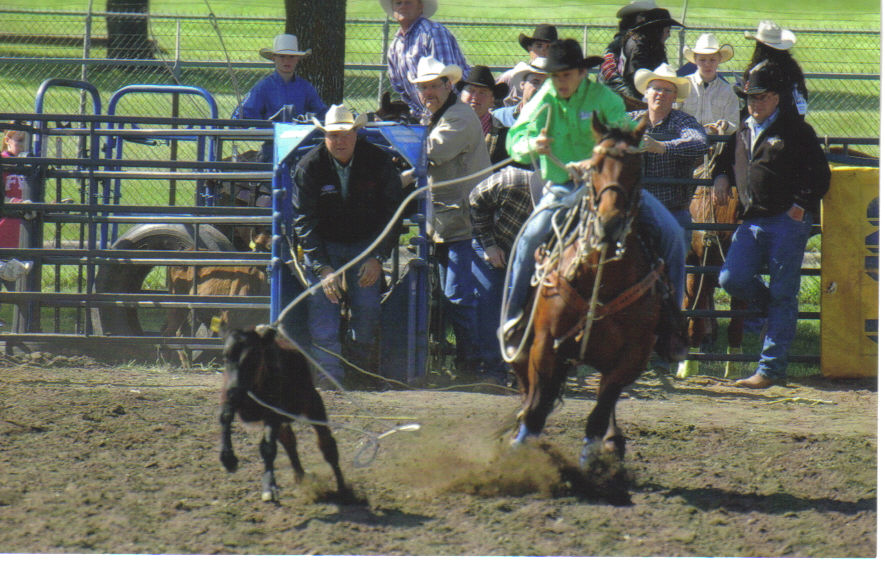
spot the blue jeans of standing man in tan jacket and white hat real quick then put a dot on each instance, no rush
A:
(455, 262)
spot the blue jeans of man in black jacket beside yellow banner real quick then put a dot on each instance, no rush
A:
(779, 243)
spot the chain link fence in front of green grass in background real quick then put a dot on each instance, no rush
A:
(221, 55)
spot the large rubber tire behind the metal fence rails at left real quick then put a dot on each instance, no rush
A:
(129, 278)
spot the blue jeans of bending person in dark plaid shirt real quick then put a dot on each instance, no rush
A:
(489, 284)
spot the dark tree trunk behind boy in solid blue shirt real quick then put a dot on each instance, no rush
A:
(319, 25)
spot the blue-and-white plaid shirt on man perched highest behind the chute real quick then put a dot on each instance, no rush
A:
(424, 38)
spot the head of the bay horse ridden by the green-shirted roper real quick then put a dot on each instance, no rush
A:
(615, 170)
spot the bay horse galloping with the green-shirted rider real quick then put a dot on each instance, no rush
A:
(599, 302)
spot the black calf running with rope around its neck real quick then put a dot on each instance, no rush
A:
(258, 361)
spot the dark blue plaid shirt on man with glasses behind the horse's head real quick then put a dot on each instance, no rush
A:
(685, 142)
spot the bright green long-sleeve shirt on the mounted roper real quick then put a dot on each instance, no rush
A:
(570, 126)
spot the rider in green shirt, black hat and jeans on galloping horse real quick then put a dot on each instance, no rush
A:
(554, 129)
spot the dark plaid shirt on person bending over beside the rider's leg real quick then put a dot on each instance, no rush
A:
(499, 205)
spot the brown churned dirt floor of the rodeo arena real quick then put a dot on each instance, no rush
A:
(98, 459)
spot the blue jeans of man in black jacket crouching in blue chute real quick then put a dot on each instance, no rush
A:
(324, 316)
